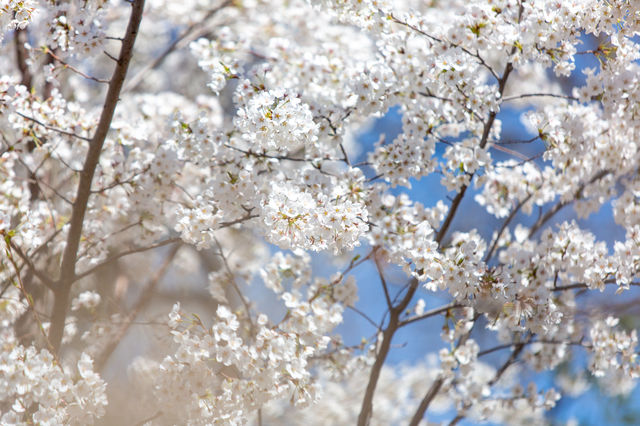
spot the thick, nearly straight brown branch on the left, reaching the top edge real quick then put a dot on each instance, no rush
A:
(67, 270)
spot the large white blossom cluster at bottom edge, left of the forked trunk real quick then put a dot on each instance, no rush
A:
(222, 379)
